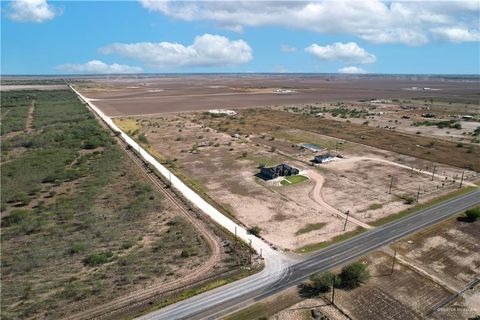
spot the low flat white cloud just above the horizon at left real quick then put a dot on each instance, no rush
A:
(96, 66)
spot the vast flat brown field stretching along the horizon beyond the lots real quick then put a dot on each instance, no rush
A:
(150, 95)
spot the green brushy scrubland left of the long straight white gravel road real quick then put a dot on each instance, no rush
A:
(82, 223)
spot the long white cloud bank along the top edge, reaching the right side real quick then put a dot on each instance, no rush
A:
(407, 22)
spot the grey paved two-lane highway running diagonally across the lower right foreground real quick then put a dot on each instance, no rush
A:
(224, 300)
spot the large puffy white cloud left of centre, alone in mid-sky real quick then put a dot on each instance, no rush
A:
(206, 51)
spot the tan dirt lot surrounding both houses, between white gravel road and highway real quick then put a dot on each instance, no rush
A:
(224, 167)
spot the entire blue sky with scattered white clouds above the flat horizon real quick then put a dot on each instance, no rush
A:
(40, 37)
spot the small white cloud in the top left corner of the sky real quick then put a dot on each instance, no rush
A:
(32, 11)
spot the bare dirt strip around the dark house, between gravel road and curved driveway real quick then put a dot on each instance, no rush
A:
(225, 167)
